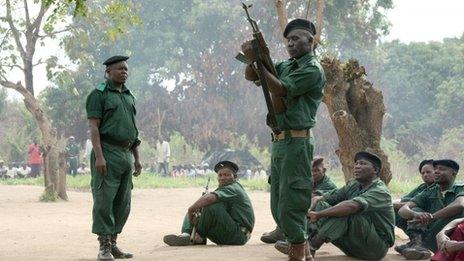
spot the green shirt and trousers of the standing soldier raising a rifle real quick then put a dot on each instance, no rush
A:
(291, 180)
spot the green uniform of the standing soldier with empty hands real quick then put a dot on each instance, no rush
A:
(112, 193)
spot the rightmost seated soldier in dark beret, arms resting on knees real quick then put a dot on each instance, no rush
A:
(438, 205)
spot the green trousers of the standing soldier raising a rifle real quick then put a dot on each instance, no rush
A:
(291, 185)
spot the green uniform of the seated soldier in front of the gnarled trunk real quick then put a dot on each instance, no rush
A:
(367, 234)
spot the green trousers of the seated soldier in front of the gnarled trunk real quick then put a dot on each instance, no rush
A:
(355, 235)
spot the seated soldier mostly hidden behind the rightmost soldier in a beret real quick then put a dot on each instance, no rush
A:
(428, 177)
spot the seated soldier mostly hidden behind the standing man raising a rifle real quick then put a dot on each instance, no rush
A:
(322, 185)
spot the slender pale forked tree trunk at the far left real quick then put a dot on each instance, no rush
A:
(54, 179)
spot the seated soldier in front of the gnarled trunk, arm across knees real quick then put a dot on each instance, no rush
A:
(357, 218)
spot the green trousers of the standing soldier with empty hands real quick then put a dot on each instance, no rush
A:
(111, 193)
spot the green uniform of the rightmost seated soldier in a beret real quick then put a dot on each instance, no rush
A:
(431, 200)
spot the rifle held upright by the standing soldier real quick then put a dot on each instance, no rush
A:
(263, 60)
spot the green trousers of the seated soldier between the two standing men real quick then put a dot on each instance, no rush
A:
(217, 225)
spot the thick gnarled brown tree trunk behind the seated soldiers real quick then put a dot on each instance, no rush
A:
(356, 109)
